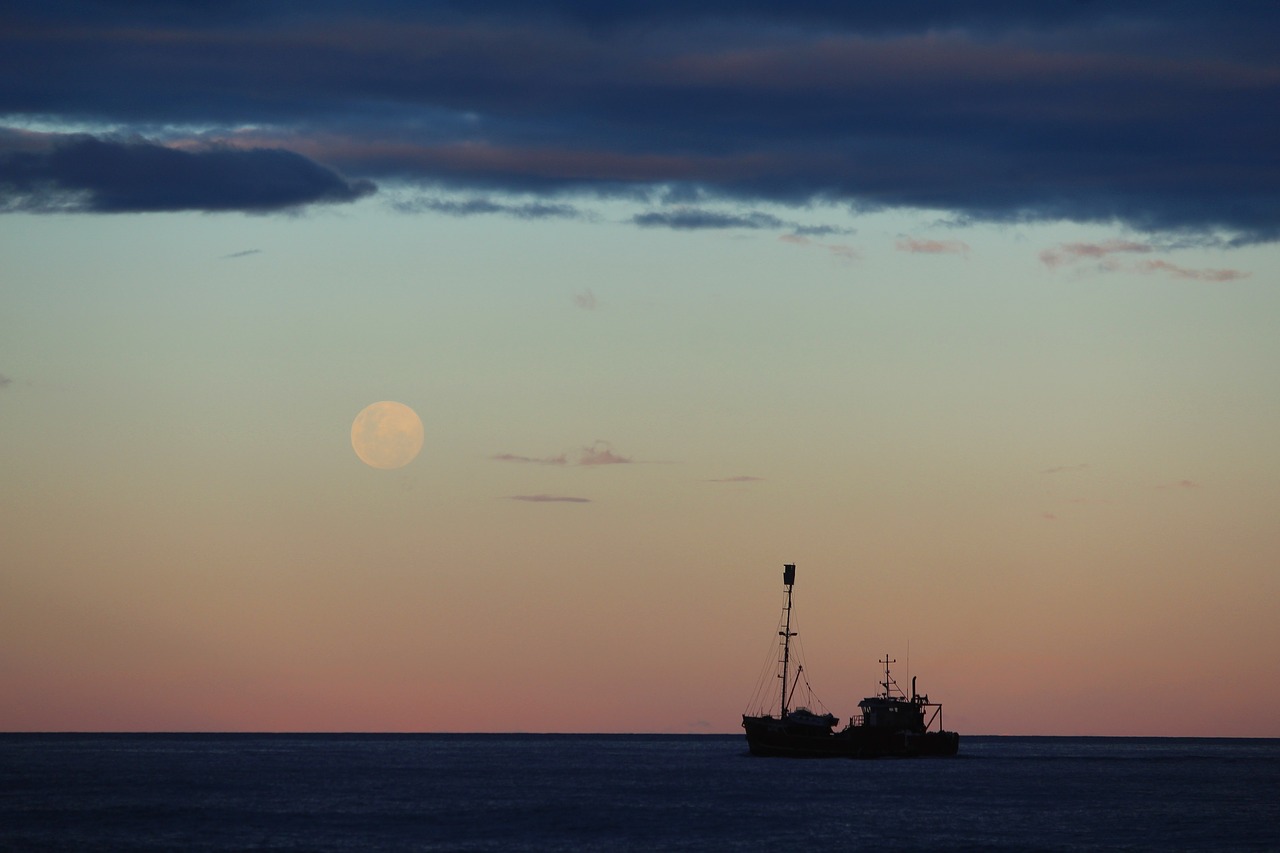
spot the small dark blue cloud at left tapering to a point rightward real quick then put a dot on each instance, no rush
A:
(85, 174)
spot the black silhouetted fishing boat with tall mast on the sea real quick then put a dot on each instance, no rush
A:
(890, 726)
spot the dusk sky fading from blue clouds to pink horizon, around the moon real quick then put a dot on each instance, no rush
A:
(967, 309)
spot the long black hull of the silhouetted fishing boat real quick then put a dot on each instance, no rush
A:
(771, 737)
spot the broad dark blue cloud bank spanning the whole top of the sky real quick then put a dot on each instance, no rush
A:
(1153, 116)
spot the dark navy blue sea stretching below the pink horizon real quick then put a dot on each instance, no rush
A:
(438, 792)
